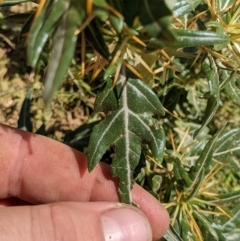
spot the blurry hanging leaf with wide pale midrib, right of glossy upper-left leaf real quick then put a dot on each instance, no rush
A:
(64, 43)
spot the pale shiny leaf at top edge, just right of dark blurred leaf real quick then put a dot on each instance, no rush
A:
(184, 7)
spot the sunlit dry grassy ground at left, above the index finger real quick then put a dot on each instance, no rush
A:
(71, 106)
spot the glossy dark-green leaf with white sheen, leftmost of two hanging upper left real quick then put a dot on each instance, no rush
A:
(43, 27)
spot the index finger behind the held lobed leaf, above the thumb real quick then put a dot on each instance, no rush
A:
(38, 169)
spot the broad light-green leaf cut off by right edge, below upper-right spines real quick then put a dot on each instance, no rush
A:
(232, 88)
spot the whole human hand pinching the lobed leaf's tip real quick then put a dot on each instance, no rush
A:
(47, 193)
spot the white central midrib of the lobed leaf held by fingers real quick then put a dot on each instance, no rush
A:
(126, 131)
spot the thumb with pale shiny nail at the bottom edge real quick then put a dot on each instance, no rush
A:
(71, 221)
